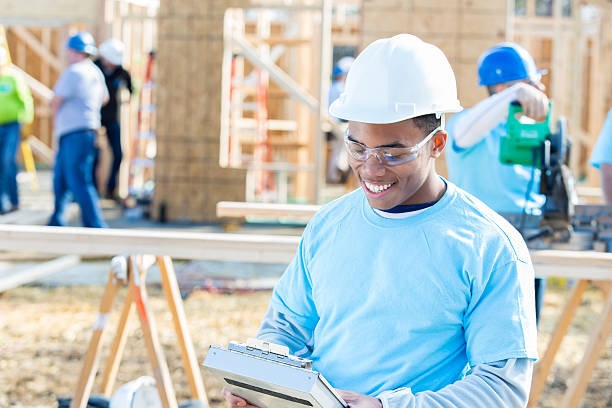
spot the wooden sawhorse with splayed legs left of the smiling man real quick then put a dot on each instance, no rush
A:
(132, 270)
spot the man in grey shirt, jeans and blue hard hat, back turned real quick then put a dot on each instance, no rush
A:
(79, 94)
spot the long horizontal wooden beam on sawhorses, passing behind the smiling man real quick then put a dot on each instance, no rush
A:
(239, 248)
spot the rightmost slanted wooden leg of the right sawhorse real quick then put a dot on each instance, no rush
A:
(578, 384)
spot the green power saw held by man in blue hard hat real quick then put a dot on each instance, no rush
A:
(534, 144)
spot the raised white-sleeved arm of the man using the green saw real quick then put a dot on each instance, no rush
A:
(472, 126)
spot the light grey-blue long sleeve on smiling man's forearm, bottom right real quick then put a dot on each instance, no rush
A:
(503, 383)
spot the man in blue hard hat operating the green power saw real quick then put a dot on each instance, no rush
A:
(509, 73)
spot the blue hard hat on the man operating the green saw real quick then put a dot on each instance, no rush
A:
(507, 62)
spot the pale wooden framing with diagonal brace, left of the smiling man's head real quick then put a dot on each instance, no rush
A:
(261, 50)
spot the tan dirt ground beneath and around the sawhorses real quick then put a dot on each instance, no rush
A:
(44, 333)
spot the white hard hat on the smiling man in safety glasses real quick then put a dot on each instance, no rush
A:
(397, 78)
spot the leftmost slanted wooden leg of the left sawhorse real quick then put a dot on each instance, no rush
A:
(92, 358)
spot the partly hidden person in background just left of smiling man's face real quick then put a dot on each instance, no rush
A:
(337, 164)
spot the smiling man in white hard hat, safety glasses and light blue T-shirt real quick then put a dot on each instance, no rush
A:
(408, 291)
